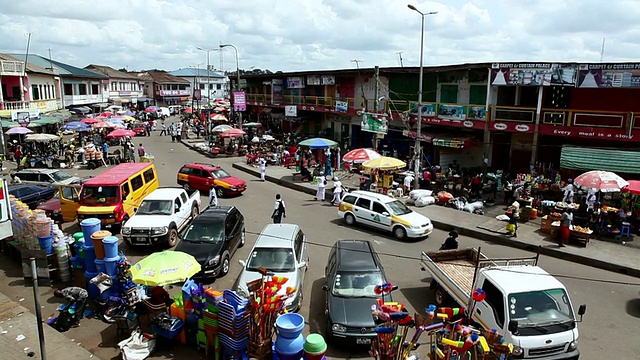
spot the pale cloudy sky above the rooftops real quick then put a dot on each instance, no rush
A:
(293, 35)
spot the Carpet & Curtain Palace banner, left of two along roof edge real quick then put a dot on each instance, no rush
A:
(534, 74)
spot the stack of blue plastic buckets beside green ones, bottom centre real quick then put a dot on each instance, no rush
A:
(289, 343)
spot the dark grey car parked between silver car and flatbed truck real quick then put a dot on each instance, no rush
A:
(352, 273)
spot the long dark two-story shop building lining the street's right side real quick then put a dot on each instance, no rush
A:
(509, 116)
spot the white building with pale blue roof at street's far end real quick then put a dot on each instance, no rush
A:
(212, 85)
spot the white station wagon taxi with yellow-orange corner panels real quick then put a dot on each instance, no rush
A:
(385, 213)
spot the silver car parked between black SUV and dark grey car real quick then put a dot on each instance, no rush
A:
(282, 250)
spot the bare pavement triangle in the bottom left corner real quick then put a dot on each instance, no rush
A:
(18, 322)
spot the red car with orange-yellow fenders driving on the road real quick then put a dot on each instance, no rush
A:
(201, 176)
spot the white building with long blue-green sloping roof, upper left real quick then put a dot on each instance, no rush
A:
(79, 86)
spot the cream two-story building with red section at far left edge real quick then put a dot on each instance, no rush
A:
(31, 87)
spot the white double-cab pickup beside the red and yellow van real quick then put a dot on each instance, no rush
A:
(161, 216)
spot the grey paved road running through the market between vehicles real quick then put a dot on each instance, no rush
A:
(613, 306)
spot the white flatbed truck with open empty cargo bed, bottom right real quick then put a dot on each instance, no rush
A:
(527, 305)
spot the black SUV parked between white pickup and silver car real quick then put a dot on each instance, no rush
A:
(212, 238)
